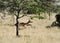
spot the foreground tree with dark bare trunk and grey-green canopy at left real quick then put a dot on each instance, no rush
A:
(13, 6)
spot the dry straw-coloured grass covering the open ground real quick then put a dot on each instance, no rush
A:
(38, 33)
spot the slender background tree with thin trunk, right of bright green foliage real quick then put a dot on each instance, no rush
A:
(48, 4)
